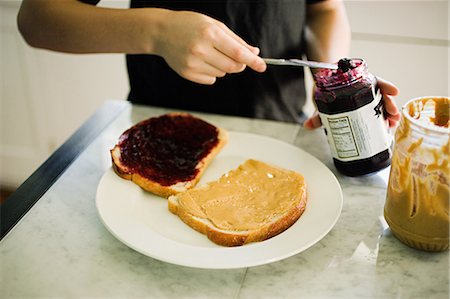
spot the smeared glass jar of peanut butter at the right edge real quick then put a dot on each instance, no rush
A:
(417, 201)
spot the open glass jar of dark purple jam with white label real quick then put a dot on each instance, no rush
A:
(352, 113)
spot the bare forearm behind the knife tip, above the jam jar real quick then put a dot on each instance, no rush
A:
(327, 31)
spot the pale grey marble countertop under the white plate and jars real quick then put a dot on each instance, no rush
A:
(61, 249)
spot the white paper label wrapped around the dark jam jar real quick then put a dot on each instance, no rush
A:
(358, 134)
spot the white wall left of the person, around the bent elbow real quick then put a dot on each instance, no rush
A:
(45, 96)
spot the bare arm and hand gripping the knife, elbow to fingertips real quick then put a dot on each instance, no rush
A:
(197, 47)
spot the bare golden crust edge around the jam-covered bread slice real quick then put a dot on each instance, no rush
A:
(154, 187)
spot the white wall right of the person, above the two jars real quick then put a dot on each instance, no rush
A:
(406, 42)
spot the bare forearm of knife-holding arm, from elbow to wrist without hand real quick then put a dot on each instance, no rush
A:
(74, 27)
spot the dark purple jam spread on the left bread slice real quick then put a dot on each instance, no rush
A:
(167, 149)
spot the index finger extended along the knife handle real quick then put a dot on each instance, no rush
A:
(239, 53)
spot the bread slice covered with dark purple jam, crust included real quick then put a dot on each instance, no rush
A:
(167, 154)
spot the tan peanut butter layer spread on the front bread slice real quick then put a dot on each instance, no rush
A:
(246, 198)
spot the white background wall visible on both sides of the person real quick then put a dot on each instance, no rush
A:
(46, 96)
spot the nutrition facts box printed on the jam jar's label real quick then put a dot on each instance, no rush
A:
(343, 137)
